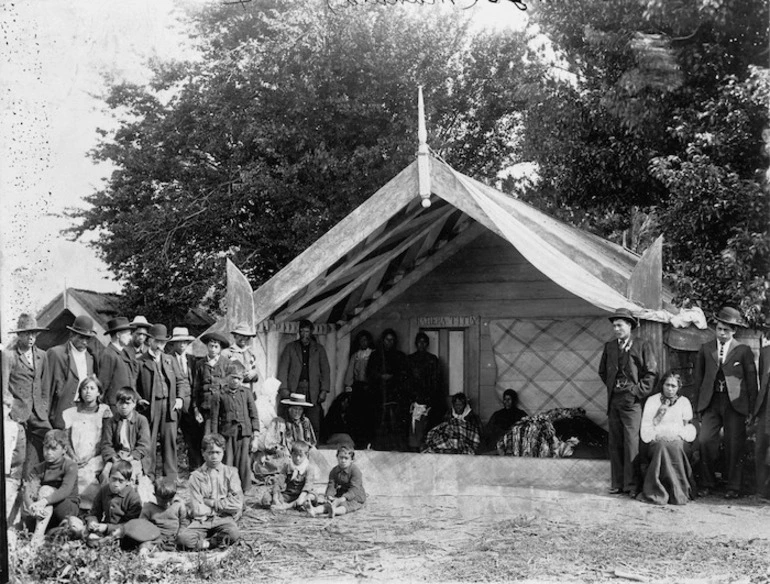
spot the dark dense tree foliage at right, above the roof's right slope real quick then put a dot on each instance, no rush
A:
(658, 124)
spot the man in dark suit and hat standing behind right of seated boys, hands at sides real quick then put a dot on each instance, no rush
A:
(164, 393)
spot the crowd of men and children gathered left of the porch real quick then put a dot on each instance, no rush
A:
(83, 423)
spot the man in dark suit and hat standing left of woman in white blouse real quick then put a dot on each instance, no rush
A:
(628, 369)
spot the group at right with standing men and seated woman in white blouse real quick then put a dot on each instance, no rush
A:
(729, 396)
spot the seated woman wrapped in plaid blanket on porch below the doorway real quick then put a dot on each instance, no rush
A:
(459, 433)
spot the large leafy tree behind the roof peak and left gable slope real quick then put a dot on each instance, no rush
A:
(291, 115)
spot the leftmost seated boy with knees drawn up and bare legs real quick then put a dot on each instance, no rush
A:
(51, 487)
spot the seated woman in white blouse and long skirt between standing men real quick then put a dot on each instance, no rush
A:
(666, 426)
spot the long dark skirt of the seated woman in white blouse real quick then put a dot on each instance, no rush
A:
(669, 477)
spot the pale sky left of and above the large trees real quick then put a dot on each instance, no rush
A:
(55, 55)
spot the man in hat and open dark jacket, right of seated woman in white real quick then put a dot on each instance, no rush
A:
(725, 380)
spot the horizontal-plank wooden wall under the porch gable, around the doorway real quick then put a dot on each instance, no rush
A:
(489, 279)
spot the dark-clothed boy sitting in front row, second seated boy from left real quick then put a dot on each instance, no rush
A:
(116, 504)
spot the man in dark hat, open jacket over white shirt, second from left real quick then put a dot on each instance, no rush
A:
(66, 366)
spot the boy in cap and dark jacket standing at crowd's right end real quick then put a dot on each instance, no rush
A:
(234, 416)
